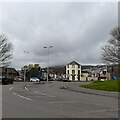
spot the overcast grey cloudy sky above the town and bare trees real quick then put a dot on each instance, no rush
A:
(77, 31)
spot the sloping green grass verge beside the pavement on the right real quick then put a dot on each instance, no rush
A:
(109, 85)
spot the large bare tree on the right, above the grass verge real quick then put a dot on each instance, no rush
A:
(111, 51)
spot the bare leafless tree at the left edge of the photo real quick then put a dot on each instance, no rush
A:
(5, 51)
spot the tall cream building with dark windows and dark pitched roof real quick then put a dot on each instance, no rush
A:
(73, 71)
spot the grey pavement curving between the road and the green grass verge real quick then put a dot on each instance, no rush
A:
(76, 87)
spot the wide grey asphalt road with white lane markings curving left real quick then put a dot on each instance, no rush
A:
(29, 100)
